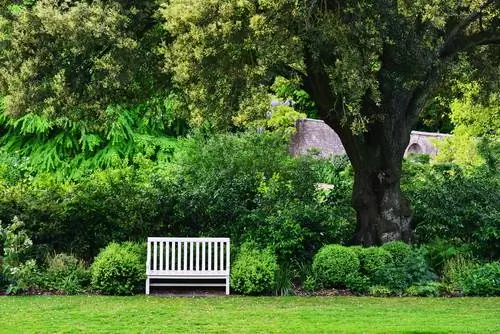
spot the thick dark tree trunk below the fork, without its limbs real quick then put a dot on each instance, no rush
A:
(383, 213)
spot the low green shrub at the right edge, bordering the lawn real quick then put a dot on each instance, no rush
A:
(483, 280)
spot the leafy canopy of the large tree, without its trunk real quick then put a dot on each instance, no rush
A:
(222, 50)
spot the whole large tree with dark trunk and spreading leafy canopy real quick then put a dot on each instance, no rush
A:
(369, 66)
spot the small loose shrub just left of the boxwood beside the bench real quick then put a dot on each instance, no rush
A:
(65, 274)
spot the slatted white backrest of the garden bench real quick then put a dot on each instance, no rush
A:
(188, 256)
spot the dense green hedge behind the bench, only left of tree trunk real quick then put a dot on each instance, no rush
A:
(244, 186)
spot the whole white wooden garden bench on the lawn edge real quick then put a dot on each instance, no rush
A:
(186, 260)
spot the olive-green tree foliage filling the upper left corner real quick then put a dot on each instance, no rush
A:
(53, 65)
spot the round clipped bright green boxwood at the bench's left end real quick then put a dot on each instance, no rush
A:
(119, 269)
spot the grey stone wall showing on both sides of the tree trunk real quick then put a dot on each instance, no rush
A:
(315, 135)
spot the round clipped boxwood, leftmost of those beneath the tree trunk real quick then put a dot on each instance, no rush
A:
(334, 266)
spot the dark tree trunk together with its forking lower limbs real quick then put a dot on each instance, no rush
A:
(383, 214)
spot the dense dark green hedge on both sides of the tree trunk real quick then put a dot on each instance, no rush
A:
(245, 186)
